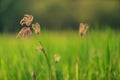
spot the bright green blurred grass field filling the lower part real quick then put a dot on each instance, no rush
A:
(95, 56)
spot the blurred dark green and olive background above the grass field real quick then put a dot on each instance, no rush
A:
(60, 14)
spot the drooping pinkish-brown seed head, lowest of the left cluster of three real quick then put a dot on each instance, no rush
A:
(25, 32)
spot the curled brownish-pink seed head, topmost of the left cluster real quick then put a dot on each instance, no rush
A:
(27, 20)
